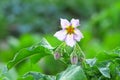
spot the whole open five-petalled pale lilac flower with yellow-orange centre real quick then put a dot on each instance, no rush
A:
(69, 33)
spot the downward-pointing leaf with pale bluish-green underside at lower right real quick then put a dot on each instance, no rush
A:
(103, 67)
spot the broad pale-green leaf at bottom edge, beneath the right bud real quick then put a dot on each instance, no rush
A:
(73, 72)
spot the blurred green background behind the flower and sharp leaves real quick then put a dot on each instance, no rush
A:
(24, 22)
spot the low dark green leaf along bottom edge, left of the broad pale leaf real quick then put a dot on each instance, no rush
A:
(38, 76)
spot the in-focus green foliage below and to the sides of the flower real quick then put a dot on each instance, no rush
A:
(94, 69)
